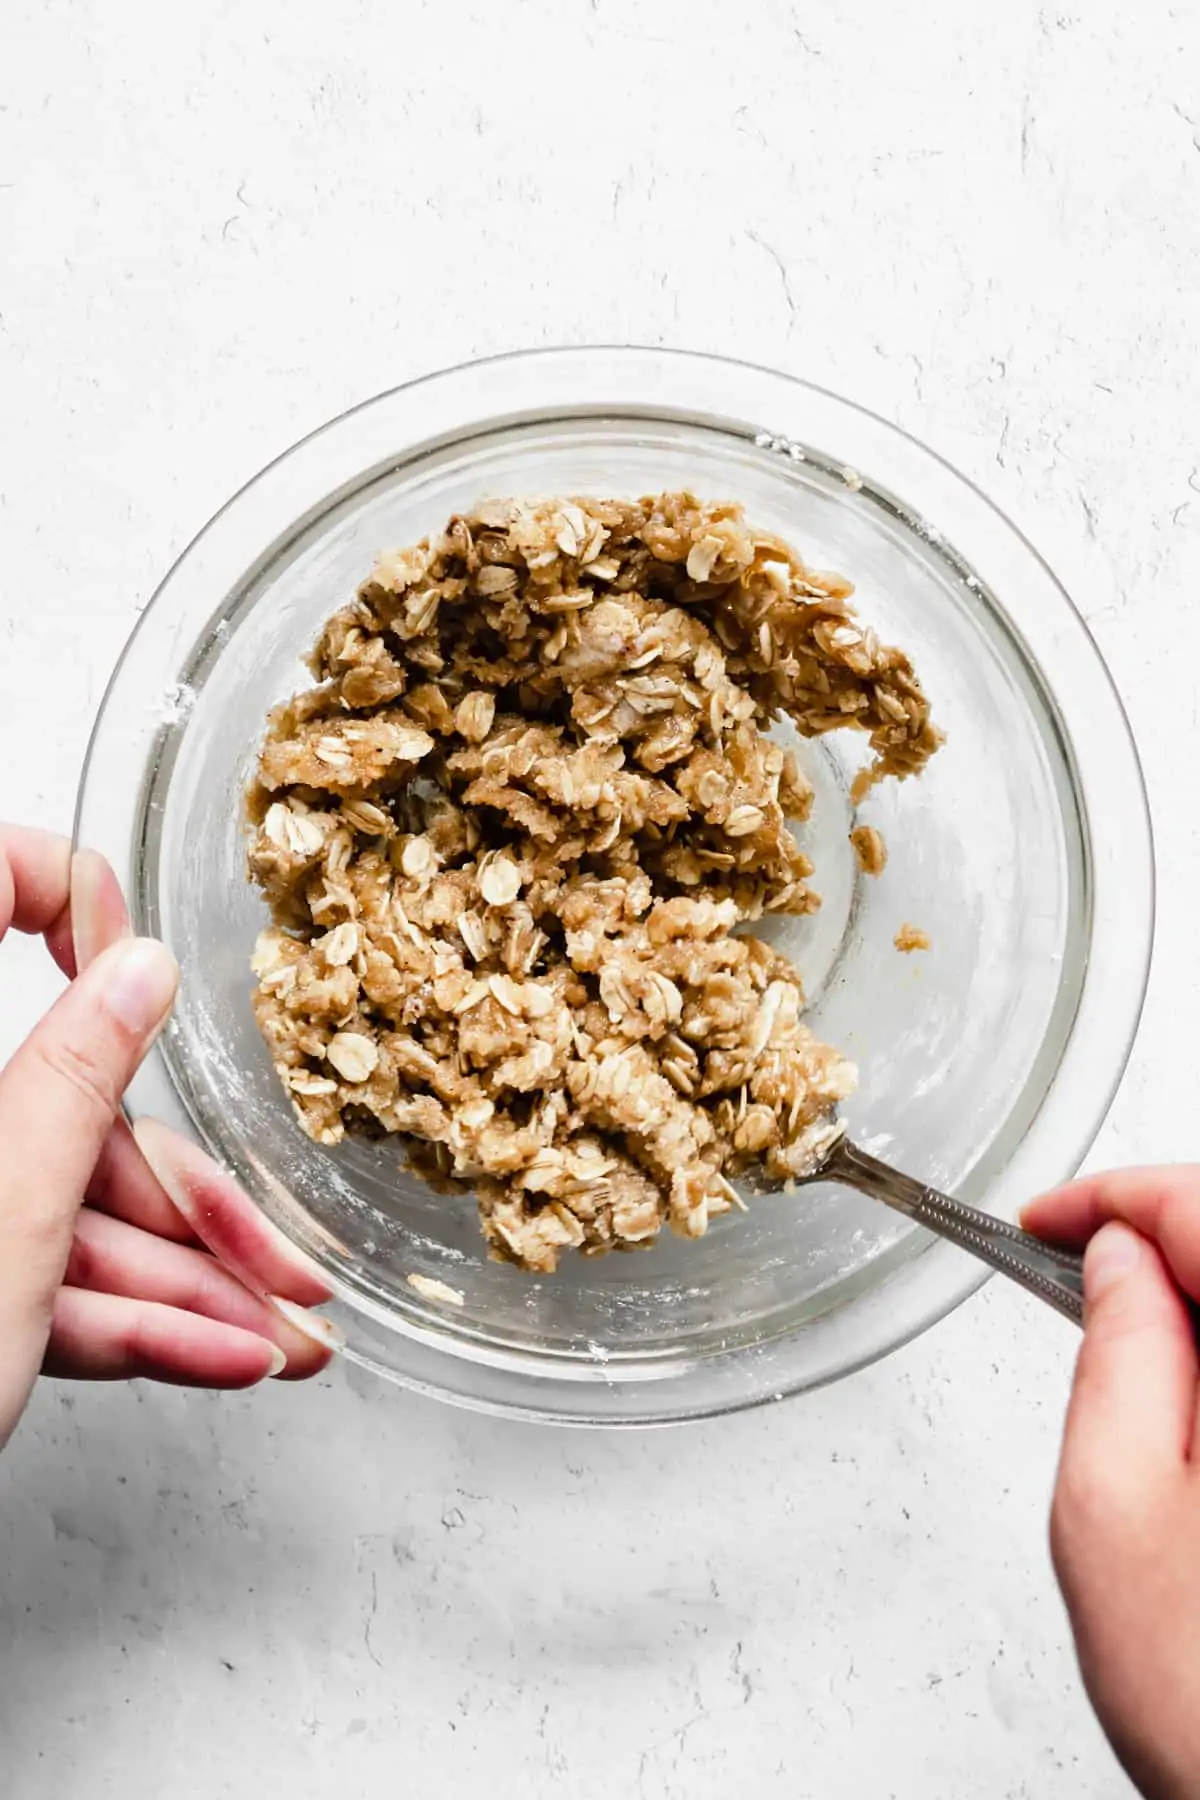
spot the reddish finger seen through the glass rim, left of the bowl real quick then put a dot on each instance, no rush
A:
(228, 1219)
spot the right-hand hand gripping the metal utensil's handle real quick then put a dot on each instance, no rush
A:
(1125, 1527)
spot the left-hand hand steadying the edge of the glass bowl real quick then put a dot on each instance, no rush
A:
(121, 1254)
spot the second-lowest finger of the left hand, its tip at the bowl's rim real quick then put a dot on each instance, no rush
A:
(112, 1257)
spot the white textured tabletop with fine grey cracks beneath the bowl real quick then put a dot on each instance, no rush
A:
(222, 224)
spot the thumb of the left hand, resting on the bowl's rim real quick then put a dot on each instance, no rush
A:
(58, 1101)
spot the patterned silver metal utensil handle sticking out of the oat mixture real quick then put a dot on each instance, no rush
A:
(1053, 1275)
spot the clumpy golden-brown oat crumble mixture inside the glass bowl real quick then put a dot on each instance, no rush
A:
(506, 841)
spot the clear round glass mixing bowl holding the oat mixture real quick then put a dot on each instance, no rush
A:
(1025, 852)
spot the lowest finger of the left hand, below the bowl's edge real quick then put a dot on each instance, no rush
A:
(111, 1338)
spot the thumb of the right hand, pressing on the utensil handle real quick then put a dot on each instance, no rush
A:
(1134, 1394)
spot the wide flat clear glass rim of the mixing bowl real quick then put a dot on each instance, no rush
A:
(622, 377)
